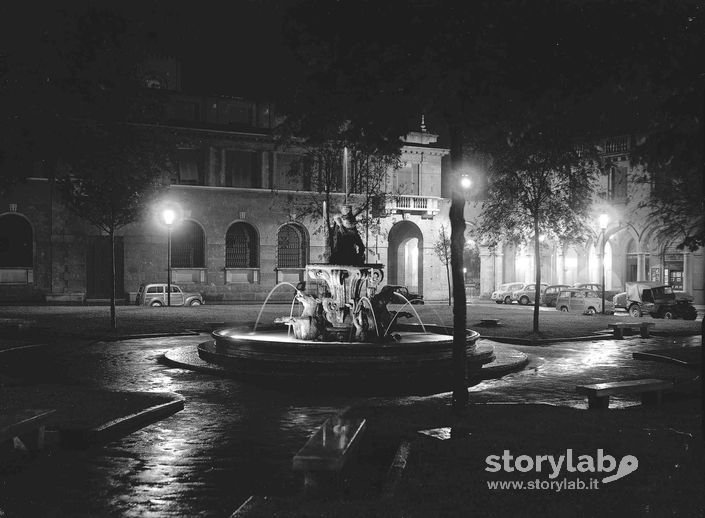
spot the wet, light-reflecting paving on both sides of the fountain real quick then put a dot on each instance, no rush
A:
(234, 439)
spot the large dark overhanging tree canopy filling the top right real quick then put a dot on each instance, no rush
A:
(483, 69)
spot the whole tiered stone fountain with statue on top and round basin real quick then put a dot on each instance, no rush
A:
(345, 336)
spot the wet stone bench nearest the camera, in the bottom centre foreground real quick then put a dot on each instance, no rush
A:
(327, 452)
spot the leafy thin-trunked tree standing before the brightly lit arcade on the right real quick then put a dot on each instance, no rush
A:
(540, 185)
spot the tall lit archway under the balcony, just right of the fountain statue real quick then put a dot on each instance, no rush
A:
(405, 256)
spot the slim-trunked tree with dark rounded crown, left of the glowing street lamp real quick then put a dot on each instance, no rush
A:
(111, 186)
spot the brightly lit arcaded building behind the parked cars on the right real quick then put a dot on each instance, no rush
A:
(634, 250)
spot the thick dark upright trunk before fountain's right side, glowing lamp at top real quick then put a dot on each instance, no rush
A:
(457, 246)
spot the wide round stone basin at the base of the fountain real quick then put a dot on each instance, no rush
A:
(419, 363)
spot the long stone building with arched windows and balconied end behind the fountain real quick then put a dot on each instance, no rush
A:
(239, 233)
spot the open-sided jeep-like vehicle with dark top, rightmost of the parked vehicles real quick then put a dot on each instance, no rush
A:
(655, 299)
